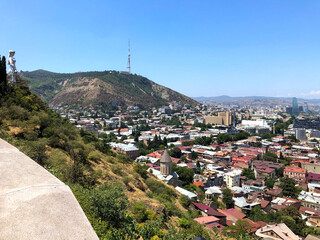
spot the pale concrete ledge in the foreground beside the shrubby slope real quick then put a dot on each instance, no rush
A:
(34, 204)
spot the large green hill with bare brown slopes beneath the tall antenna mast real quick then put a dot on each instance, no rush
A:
(106, 87)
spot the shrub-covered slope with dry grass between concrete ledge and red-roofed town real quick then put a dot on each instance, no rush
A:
(121, 199)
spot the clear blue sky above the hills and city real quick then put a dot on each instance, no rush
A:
(199, 48)
